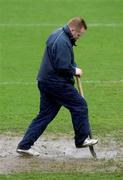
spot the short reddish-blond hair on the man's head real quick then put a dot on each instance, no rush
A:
(77, 22)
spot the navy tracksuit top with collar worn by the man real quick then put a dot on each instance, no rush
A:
(58, 61)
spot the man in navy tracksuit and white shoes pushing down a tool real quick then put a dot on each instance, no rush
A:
(55, 83)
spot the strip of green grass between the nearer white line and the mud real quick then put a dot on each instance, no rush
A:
(105, 104)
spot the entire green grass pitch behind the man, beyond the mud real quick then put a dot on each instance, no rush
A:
(24, 29)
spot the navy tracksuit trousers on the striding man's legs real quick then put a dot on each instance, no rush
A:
(52, 97)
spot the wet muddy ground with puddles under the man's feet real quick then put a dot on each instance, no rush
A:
(60, 155)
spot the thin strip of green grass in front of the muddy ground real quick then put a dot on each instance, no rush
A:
(54, 176)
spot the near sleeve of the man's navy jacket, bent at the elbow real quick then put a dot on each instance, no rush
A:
(62, 60)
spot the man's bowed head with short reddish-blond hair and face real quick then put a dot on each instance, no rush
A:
(77, 27)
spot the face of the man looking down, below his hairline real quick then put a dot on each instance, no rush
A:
(77, 33)
